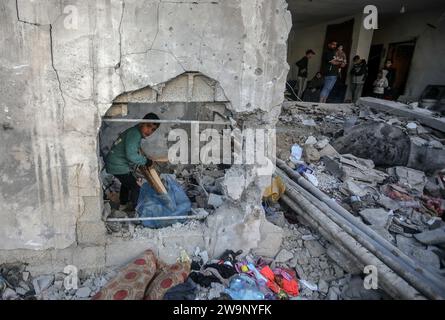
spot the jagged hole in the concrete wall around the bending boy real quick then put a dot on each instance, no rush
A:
(189, 97)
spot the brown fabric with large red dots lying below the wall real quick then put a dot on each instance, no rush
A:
(146, 278)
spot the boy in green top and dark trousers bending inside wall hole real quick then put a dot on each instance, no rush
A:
(125, 156)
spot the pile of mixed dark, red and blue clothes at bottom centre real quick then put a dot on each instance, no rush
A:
(238, 279)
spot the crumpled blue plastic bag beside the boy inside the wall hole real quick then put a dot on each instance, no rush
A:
(152, 204)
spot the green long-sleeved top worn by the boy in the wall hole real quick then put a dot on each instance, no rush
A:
(125, 153)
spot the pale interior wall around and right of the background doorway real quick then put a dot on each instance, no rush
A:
(428, 65)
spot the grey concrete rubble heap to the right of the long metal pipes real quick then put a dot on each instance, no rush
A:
(400, 202)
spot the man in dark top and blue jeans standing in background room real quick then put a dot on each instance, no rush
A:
(330, 69)
